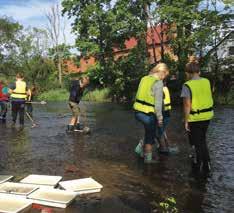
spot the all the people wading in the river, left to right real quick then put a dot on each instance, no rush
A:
(152, 108)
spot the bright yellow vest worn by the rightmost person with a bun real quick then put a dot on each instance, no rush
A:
(202, 101)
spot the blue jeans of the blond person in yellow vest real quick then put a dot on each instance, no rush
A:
(149, 122)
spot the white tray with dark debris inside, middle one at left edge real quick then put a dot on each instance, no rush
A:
(17, 188)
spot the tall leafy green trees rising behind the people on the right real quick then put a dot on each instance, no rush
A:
(192, 27)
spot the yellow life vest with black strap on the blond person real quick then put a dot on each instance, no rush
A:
(144, 99)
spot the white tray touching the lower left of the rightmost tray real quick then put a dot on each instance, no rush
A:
(52, 197)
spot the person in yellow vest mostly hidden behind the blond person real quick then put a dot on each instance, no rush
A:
(166, 109)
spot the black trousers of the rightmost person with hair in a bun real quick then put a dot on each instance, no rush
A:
(197, 137)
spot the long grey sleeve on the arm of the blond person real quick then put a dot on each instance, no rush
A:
(157, 92)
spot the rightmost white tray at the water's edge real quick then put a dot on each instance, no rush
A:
(81, 186)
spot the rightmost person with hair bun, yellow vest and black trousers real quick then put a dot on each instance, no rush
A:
(198, 111)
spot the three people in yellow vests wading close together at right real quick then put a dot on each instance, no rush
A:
(152, 108)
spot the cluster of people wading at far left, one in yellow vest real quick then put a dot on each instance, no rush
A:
(20, 96)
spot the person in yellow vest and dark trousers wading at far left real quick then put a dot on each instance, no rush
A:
(19, 93)
